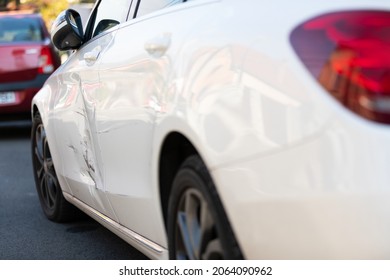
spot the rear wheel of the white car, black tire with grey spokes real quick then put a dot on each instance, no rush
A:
(198, 227)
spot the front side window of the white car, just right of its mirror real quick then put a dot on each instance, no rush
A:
(109, 14)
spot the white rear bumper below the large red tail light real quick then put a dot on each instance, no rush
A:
(324, 198)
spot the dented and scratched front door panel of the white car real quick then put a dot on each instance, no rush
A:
(75, 111)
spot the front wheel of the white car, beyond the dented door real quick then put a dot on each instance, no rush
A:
(52, 201)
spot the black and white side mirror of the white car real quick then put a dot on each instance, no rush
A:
(67, 31)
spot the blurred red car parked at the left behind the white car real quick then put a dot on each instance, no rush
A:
(27, 59)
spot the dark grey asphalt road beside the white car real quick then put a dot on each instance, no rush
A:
(25, 234)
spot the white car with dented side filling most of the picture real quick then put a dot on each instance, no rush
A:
(222, 129)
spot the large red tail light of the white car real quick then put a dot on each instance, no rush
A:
(349, 54)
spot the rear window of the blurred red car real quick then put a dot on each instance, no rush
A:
(20, 30)
